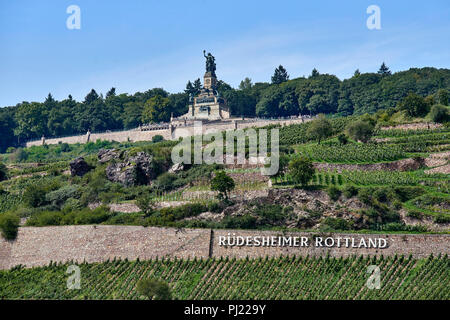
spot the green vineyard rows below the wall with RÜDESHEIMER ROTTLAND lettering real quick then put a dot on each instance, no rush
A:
(263, 278)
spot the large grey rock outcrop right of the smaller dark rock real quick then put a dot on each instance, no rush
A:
(133, 171)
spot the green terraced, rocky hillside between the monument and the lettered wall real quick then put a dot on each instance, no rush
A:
(397, 181)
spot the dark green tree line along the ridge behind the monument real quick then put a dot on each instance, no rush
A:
(282, 97)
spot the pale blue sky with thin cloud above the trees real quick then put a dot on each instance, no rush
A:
(137, 45)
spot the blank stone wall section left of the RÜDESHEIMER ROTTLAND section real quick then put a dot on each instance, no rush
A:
(38, 246)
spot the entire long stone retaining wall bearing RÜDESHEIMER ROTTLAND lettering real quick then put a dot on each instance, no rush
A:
(36, 246)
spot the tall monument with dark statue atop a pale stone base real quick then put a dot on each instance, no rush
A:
(208, 104)
